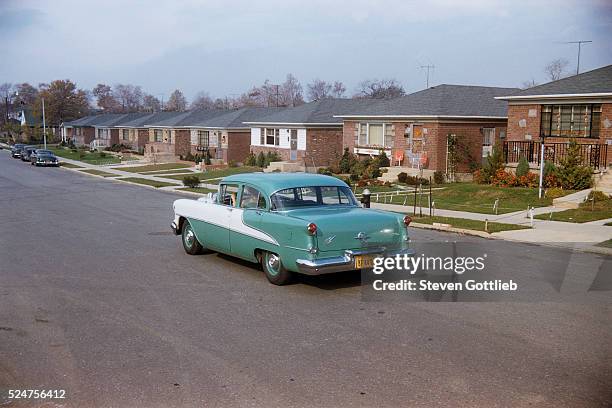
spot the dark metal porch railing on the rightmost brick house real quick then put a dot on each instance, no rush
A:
(594, 155)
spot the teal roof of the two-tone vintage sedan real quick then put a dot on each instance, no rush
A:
(272, 182)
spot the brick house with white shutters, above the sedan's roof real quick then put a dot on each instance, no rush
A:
(308, 134)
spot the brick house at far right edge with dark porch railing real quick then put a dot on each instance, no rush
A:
(578, 107)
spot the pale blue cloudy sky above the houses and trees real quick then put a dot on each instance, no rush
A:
(225, 47)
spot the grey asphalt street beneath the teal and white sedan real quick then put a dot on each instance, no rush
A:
(98, 298)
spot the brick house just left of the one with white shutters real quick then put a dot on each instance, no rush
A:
(222, 133)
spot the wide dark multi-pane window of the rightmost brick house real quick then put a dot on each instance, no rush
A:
(570, 120)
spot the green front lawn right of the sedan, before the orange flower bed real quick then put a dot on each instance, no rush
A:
(478, 198)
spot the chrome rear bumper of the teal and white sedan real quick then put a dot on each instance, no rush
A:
(342, 263)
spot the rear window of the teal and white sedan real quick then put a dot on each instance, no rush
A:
(299, 197)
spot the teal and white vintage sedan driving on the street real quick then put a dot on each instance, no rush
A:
(290, 222)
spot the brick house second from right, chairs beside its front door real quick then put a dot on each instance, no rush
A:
(414, 129)
